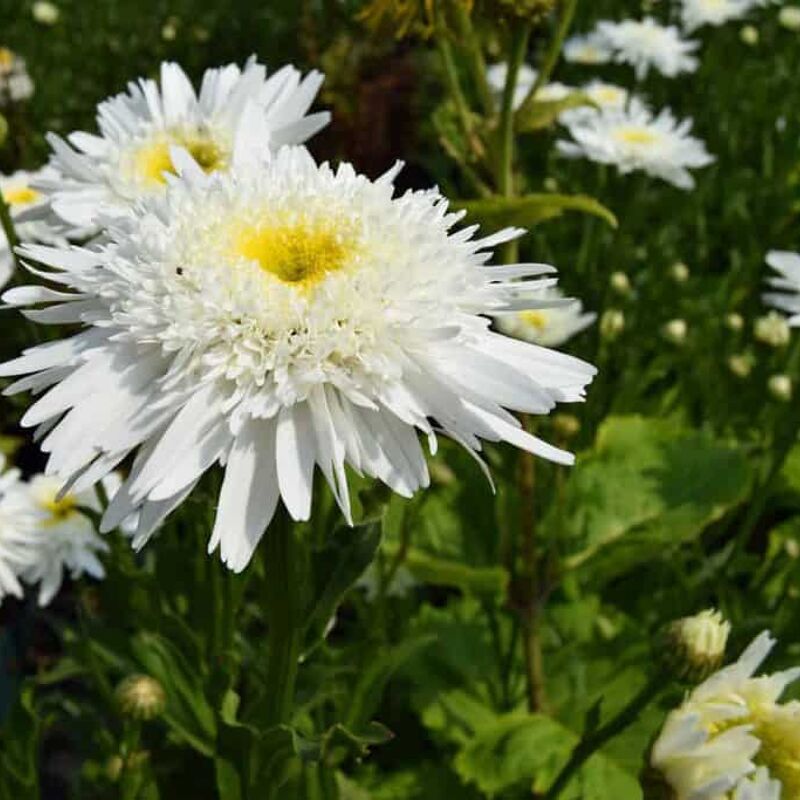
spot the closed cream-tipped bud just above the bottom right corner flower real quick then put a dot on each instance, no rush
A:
(694, 647)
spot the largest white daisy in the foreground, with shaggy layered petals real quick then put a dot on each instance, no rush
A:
(312, 320)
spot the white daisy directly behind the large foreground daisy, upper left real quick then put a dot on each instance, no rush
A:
(101, 175)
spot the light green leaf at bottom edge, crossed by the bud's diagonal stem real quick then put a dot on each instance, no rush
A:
(521, 749)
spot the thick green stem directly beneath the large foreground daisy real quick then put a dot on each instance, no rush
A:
(284, 618)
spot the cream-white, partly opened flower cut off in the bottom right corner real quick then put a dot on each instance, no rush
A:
(727, 726)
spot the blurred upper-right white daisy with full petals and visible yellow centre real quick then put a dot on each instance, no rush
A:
(634, 139)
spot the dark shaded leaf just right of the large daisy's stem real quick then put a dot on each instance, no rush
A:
(335, 567)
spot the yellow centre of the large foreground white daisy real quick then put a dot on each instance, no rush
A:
(300, 253)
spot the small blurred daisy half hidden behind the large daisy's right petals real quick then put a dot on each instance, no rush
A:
(548, 327)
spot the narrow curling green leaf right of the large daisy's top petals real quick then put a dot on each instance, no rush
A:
(494, 213)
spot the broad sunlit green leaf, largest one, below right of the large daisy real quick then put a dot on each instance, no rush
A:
(647, 486)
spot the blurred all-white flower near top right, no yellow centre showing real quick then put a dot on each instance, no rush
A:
(646, 45)
